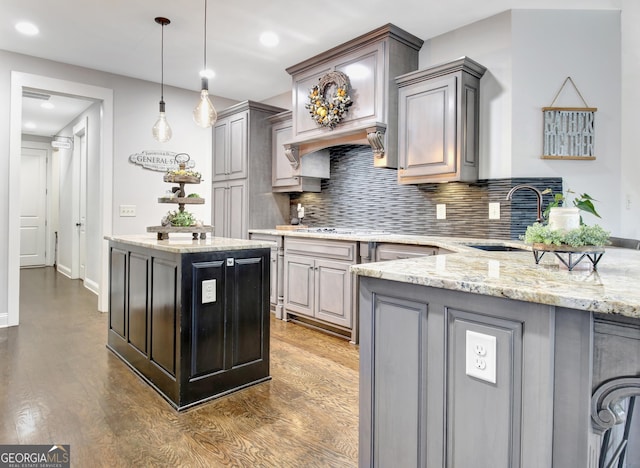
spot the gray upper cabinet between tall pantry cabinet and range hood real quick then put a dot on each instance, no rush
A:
(290, 175)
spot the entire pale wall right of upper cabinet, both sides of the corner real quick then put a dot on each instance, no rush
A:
(528, 54)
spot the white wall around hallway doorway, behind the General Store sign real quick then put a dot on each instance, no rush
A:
(135, 110)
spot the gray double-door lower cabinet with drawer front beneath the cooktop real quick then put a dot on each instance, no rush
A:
(318, 284)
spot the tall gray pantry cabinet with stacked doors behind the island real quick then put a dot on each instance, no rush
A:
(241, 189)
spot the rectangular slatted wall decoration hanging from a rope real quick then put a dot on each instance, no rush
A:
(569, 131)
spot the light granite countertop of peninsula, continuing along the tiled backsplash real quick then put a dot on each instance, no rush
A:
(612, 289)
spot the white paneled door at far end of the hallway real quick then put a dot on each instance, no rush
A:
(33, 206)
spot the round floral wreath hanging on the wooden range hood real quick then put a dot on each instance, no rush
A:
(329, 111)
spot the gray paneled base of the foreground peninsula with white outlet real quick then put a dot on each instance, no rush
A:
(419, 407)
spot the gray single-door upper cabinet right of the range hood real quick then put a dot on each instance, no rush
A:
(438, 123)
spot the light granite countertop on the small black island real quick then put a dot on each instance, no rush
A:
(182, 245)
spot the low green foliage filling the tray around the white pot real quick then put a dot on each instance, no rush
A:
(585, 235)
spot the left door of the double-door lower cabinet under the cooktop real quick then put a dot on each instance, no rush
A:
(299, 284)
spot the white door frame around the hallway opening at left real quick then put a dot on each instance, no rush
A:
(19, 81)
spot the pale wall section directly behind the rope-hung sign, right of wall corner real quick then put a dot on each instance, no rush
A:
(548, 46)
